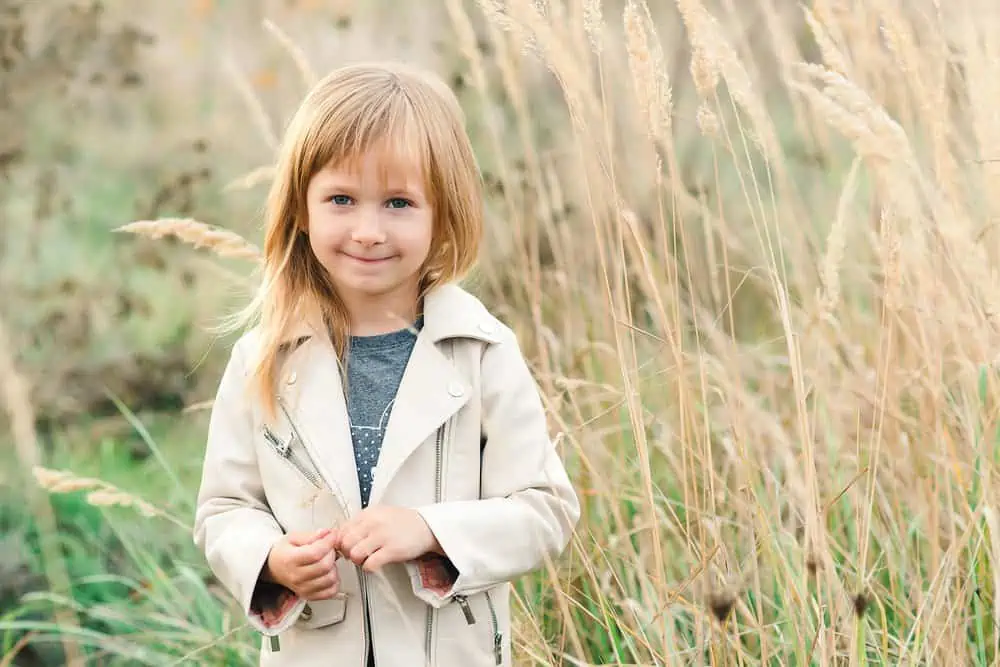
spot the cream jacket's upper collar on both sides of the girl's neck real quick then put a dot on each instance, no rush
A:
(449, 312)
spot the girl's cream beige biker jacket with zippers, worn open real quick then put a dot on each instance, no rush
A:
(466, 384)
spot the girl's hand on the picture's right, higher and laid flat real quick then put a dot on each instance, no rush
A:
(381, 535)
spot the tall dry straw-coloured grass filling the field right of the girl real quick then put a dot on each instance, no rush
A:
(755, 278)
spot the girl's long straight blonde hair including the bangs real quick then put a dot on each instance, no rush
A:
(408, 115)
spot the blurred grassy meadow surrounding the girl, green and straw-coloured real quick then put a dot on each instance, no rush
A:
(749, 247)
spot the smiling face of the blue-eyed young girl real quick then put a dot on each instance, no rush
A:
(372, 237)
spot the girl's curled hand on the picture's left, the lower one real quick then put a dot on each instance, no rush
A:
(306, 563)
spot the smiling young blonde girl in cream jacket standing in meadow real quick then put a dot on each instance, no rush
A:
(378, 467)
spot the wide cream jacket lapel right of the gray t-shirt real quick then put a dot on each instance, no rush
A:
(431, 391)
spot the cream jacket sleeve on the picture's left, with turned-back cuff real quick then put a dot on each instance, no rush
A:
(233, 524)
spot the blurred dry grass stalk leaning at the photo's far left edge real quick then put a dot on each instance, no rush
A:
(15, 395)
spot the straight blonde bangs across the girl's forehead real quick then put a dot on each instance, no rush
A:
(389, 128)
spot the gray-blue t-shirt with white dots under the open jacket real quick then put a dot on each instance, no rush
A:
(375, 366)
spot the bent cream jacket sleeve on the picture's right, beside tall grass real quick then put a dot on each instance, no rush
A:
(528, 508)
